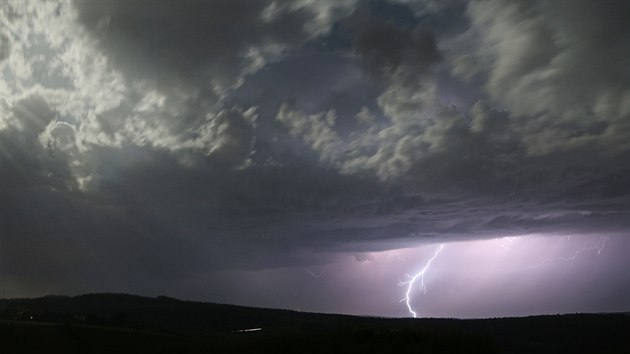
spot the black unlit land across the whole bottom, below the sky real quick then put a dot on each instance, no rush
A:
(115, 323)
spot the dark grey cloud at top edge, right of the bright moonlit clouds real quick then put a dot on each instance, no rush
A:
(211, 43)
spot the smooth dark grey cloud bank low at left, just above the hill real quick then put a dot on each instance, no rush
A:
(173, 222)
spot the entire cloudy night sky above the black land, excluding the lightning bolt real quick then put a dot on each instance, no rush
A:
(312, 154)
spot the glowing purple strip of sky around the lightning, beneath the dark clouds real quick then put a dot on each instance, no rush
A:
(510, 276)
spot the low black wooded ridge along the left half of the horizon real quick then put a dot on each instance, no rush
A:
(143, 312)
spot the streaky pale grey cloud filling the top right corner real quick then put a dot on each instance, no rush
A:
(560, 66)
